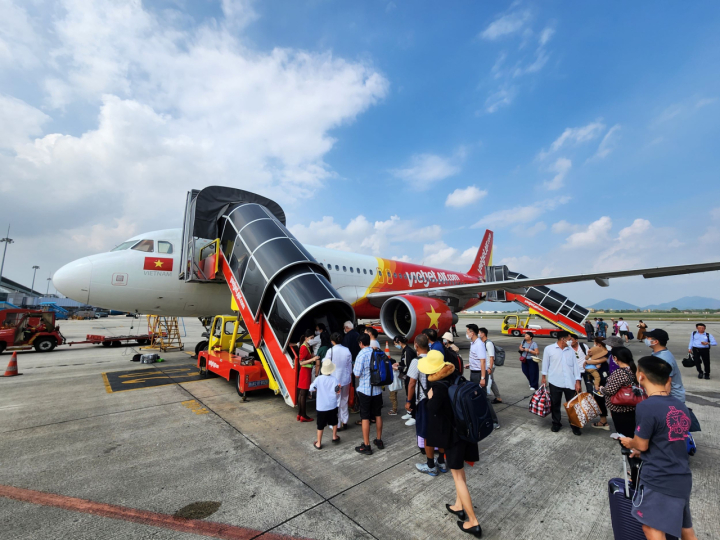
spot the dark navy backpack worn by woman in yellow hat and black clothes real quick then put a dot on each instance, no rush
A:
(473, 421)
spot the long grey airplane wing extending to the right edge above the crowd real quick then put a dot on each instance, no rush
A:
(518, 285)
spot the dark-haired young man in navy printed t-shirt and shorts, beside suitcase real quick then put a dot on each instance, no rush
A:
(662, 497)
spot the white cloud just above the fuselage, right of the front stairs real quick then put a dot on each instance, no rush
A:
(362, 236)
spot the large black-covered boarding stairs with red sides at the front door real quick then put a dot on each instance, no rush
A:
(239, 239)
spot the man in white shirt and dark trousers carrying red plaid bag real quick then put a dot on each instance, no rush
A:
(561, 370)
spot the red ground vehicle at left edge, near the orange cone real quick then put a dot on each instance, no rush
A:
(23, 329)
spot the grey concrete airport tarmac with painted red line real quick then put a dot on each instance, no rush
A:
(82, 457)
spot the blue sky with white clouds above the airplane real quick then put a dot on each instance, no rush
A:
(586, 135)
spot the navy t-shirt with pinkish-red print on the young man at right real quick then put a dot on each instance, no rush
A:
(665, 421)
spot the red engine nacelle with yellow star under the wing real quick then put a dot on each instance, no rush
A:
(409, 315)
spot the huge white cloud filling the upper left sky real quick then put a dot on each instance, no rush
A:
(178, 106)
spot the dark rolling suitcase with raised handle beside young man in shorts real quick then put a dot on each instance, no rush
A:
(621, 492)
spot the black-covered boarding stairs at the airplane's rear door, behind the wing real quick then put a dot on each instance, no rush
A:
(542, 301)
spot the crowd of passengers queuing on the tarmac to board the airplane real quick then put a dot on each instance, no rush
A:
(426, 370)
